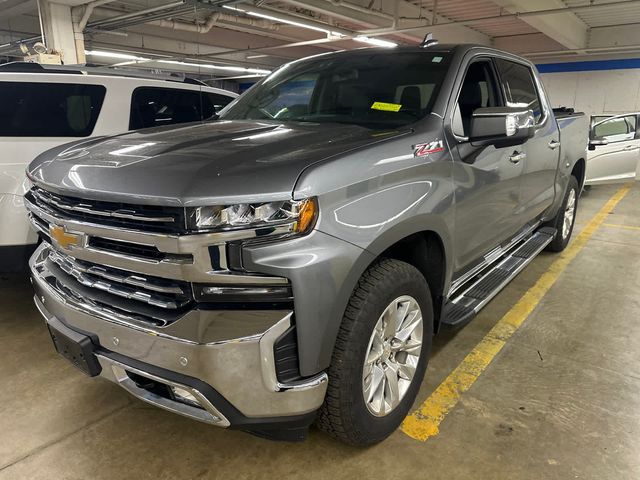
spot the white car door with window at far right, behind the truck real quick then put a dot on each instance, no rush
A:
(614, 151)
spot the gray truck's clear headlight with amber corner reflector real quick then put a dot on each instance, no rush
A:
(290, 216)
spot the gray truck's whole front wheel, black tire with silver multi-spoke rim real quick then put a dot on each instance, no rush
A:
(380, 354)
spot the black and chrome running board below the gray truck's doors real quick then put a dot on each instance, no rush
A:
(463, 307)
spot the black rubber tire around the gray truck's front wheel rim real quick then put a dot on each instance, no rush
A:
(344, 414)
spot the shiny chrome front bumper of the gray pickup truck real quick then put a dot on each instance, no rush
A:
(234, 379)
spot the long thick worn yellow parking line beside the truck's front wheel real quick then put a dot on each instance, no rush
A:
(425, 421)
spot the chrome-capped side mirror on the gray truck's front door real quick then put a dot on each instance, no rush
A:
(501, 124)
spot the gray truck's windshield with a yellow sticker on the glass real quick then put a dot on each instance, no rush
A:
(376, 90)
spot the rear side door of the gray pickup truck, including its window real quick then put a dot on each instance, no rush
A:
(540, 154)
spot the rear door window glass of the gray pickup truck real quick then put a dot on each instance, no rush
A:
(519, 87)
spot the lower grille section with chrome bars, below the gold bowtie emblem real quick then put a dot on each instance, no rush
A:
(165, 294)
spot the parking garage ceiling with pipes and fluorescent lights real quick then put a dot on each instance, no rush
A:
(199, 35)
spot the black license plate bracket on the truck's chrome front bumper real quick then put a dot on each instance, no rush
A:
(76, 347)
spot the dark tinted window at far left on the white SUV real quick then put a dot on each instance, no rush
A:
(34, 109)
